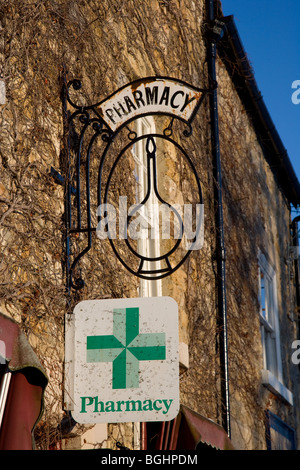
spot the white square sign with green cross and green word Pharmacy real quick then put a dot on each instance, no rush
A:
(123, 363)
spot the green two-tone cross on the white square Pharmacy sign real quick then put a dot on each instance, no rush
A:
(126, 347)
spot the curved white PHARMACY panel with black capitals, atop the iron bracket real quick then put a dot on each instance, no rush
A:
(150, 96)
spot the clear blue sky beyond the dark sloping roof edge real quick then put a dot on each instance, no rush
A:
(270, 33)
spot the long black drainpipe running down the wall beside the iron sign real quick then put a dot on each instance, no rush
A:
(215, 31)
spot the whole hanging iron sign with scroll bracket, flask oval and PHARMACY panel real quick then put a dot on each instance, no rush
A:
(112, 143)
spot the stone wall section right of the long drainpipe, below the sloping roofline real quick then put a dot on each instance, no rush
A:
(257, 218)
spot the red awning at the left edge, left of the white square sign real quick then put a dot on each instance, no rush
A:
(24, 400)
